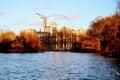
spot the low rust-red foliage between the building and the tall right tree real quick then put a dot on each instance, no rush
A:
(87, 44)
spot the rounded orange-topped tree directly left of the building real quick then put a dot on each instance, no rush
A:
(31, 42)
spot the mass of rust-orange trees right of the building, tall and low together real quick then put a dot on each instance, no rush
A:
(103, 36)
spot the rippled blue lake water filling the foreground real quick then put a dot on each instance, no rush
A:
(58, 66)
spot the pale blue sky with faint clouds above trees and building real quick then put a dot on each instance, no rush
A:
(17, 15)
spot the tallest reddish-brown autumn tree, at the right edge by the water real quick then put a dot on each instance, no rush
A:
(107, 30)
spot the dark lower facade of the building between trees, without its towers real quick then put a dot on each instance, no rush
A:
(58, 40)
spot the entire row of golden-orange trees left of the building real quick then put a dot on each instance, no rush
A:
(26, 41)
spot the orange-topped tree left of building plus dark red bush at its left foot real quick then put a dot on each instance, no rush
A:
(27, 41)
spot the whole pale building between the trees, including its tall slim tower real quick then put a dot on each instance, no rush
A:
(56, 39)
